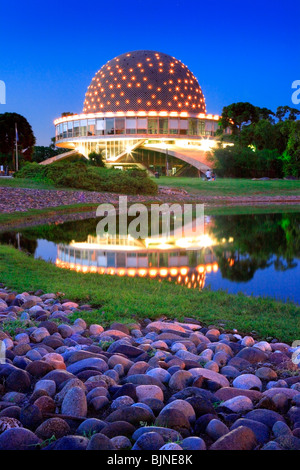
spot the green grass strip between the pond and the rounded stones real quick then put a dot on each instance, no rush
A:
(131, 299)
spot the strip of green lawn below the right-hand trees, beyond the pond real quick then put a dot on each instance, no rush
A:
(233, 187)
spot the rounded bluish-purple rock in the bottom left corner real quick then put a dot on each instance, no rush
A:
(18, 439)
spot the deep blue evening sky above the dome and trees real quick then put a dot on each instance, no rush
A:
(239, 50)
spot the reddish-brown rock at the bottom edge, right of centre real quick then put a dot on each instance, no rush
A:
(241, 438)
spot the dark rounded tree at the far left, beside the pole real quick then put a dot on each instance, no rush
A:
(8, 136)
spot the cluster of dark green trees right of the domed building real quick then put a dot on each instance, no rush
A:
(261, 143)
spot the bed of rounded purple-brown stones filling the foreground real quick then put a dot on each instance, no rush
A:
(157, 386)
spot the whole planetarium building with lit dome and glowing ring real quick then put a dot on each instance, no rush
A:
(144, 109)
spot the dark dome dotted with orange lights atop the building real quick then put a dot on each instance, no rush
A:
(144, 81)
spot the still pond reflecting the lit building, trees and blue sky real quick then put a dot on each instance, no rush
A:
(254, 254)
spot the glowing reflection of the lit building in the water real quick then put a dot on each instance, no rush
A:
(184, 261)
